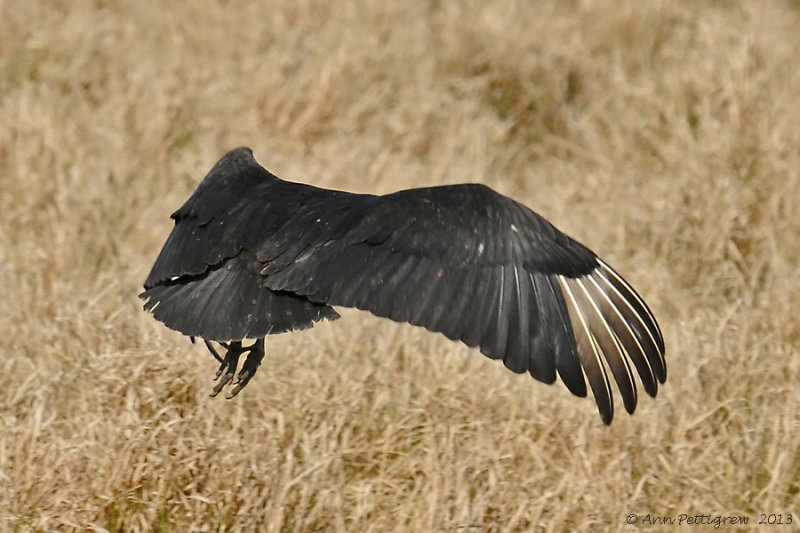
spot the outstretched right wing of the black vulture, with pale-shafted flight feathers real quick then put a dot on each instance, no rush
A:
(481, 268)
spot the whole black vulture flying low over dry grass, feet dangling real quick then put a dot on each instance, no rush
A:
(251, 255)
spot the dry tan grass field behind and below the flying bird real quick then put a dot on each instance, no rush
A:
(664, 135)
